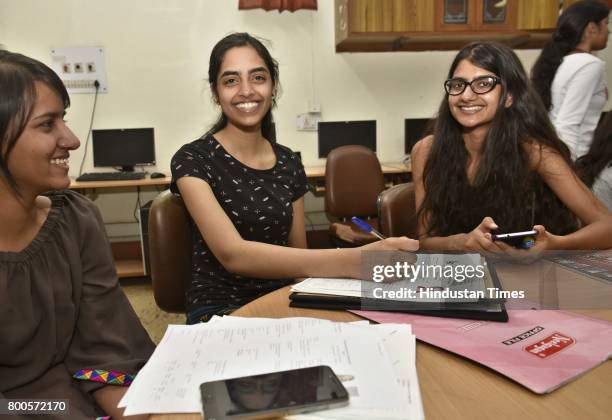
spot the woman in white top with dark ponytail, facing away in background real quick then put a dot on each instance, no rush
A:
(569, 79)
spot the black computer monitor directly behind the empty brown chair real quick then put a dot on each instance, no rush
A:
(334, 134)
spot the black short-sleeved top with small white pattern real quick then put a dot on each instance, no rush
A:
(259, 204)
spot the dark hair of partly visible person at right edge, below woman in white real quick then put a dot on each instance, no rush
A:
(599, 155)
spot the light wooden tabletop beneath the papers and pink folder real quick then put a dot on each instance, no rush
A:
(455, 387)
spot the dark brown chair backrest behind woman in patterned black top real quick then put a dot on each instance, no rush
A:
(170, 247)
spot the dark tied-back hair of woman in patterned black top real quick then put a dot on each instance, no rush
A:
(241, 39)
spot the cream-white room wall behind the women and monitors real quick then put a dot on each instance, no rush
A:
(157, 59)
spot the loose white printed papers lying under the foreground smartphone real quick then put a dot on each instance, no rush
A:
(378, 360)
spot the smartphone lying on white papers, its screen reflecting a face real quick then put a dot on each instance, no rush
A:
(273, 395)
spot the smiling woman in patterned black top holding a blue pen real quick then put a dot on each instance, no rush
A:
(245, 193)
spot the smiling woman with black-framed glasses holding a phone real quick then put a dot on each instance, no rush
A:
(494, 163)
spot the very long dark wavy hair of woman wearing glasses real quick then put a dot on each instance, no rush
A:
(505, 185)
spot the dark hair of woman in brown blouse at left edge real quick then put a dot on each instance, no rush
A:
(18, 75)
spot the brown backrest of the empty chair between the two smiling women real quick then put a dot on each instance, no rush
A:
(353, 180)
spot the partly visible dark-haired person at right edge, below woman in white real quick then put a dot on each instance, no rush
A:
(595, 168)
